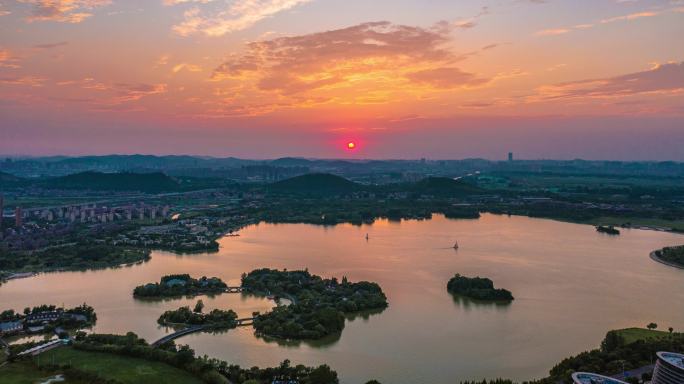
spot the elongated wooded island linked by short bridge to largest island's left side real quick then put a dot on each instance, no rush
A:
(180, 285)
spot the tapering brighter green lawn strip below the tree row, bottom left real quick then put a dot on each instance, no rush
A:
(120, 368)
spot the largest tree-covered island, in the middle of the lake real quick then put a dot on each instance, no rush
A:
(318, 306)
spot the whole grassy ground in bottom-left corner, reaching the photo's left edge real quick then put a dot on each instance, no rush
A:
(123, 369)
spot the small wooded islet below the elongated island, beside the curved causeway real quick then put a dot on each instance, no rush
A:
(216, 319)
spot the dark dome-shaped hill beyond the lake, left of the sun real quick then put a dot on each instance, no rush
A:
(314, 184)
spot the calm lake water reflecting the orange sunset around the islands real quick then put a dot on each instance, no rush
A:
(571, 285)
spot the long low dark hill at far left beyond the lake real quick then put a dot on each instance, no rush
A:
(143, 182)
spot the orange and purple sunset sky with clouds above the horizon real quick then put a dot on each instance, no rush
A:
(595, 79)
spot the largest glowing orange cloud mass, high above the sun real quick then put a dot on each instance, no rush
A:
(366, 57)
